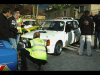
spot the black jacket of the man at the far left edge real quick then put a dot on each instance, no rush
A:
(4, 28)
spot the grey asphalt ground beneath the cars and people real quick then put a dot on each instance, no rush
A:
(70, 61)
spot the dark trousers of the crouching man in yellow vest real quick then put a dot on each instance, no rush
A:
(24, 54)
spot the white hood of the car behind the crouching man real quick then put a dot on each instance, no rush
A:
(44, 34)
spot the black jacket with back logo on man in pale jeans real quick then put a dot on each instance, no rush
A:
(86, 25)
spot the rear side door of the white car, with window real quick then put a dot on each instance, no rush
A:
(76, 31)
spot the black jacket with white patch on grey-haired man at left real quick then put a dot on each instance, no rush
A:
(13, 30)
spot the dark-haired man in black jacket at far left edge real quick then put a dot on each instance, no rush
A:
(4, 25)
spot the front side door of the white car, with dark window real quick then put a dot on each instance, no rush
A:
(69, 33)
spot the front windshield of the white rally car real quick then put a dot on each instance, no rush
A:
(53, 25)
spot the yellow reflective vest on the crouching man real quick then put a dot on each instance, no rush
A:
(38, 49)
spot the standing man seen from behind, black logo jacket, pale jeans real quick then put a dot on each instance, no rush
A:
(86, 27)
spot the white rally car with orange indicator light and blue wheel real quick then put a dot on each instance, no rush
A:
(58, 33)
